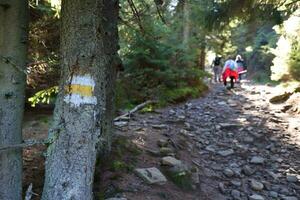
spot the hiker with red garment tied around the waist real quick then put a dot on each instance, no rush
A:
(230, 71)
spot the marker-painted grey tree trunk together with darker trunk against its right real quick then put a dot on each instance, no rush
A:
(83, 112)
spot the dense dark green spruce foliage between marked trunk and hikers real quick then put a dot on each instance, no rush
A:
(156, 66)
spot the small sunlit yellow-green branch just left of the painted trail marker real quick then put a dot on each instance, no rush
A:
(44, 96)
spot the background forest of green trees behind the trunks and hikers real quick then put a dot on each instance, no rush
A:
(166, 45)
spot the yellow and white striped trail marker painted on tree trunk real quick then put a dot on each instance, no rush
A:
(80, 91)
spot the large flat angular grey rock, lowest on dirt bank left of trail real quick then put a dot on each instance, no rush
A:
(151, 175)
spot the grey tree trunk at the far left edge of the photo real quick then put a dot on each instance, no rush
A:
(13, 55)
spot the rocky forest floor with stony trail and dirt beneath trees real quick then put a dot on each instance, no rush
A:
(228, 145)
